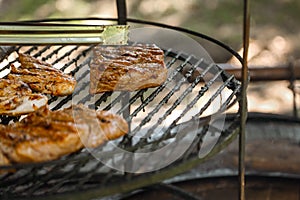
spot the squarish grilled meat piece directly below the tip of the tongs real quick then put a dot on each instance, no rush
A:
(126, 68)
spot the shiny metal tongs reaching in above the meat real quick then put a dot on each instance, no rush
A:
(48, 33)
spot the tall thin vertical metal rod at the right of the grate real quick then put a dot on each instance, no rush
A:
(243, 102)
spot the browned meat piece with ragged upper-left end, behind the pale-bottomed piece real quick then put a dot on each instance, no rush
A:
(42, 77)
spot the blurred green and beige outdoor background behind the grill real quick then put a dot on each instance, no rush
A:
(275, 30)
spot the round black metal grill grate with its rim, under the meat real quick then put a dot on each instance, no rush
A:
(162, 115)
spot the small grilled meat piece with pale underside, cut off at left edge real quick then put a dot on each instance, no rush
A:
(16, 98)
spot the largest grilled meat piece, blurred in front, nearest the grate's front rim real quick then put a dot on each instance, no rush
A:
(46, 135)
